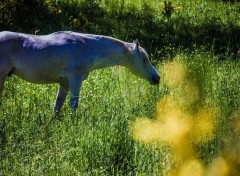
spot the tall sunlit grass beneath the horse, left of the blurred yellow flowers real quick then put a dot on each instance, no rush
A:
(33, 141)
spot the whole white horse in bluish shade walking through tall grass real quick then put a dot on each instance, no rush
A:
(67, 58)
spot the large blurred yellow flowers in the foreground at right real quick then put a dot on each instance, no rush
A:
(177, 125)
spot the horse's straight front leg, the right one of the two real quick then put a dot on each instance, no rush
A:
(75, 83)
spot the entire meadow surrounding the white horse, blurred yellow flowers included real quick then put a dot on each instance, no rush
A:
(123, 126)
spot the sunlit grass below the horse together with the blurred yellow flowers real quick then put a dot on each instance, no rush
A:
(116, 127)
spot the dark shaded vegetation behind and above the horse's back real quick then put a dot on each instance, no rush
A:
(160, 26)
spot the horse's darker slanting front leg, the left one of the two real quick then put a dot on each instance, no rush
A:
(61, 96)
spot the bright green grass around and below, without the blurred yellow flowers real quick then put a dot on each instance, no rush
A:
(99, 141)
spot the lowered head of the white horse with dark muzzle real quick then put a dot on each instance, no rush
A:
(141, 66)
